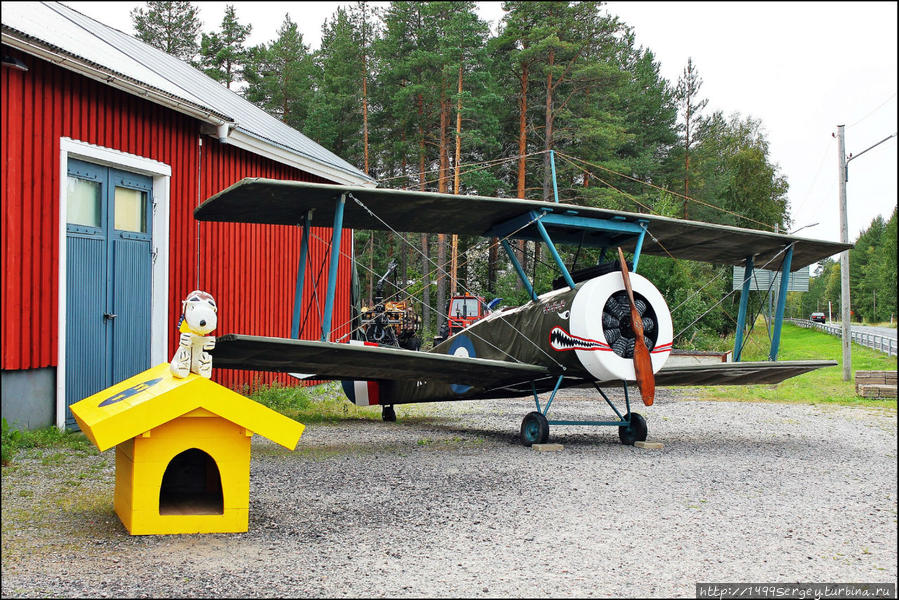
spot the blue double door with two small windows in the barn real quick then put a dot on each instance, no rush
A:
(109, 261)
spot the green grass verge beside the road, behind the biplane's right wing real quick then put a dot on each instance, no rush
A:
(820, 386)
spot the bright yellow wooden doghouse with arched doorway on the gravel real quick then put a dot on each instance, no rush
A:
(182, 450)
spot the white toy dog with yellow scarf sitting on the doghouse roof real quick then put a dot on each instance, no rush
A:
(198, 319)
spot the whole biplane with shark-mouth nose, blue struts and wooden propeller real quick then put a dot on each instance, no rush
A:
(604, 326)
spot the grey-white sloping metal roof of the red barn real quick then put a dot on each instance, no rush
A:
(65, 30)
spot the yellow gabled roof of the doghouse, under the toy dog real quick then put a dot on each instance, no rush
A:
(155, 397)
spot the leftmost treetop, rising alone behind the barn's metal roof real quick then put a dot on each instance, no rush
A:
(170, 26)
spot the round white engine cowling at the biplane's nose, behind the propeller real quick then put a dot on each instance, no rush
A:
(600, 326)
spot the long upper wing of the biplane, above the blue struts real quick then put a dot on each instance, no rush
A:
(278, 202)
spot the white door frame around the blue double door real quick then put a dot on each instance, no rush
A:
(161, 174)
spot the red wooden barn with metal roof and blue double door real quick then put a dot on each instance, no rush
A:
(108, 146)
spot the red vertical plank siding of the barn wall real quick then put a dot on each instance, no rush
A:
(250, 269)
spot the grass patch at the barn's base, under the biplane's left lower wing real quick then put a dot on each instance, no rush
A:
(324, 403)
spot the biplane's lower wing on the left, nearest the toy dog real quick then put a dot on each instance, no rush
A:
(328, 360)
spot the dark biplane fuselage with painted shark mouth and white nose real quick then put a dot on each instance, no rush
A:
(582, 333)
